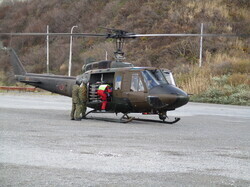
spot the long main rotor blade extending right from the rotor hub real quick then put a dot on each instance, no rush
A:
(187, 35)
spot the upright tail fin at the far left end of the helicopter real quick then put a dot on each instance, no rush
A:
(16, 63)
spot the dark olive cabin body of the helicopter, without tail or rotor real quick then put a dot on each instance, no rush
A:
(135, 89)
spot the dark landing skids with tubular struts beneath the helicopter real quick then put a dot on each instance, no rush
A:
(126, 119)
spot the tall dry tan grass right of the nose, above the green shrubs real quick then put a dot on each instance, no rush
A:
(234, 70)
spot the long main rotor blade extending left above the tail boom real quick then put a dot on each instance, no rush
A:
(55, 34)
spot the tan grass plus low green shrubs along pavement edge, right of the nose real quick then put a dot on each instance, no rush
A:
(223, 80)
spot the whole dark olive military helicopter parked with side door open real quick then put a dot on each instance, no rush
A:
(146, 90)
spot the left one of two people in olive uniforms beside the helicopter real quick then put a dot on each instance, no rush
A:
(76, 103)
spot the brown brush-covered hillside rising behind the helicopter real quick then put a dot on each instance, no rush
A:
(226, 60)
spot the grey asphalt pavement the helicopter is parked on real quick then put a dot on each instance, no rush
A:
(41, 146)
